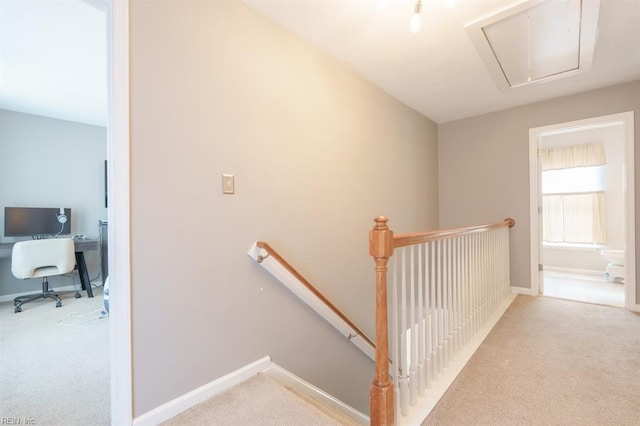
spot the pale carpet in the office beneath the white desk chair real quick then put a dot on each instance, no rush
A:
(54, 363)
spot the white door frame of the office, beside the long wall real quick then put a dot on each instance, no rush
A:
(118, 213)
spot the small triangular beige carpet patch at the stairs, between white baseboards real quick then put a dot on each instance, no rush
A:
(259, 401)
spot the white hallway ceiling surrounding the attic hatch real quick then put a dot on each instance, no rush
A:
(438, 71)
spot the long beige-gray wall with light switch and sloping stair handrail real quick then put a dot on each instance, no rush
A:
(316, 151)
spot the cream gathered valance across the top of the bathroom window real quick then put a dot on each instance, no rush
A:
(584, 155)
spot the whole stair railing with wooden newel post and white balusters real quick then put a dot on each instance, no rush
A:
(444, 288)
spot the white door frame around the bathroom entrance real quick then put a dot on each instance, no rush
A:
(535, 134)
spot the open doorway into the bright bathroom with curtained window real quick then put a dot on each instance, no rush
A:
(582, 198)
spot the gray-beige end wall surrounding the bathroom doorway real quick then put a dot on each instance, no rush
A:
(484, 163)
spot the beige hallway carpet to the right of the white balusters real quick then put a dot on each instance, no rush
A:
(550, 362)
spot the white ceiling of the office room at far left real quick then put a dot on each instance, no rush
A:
(53, 59)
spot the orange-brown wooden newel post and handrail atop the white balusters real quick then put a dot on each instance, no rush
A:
(381, 245)
